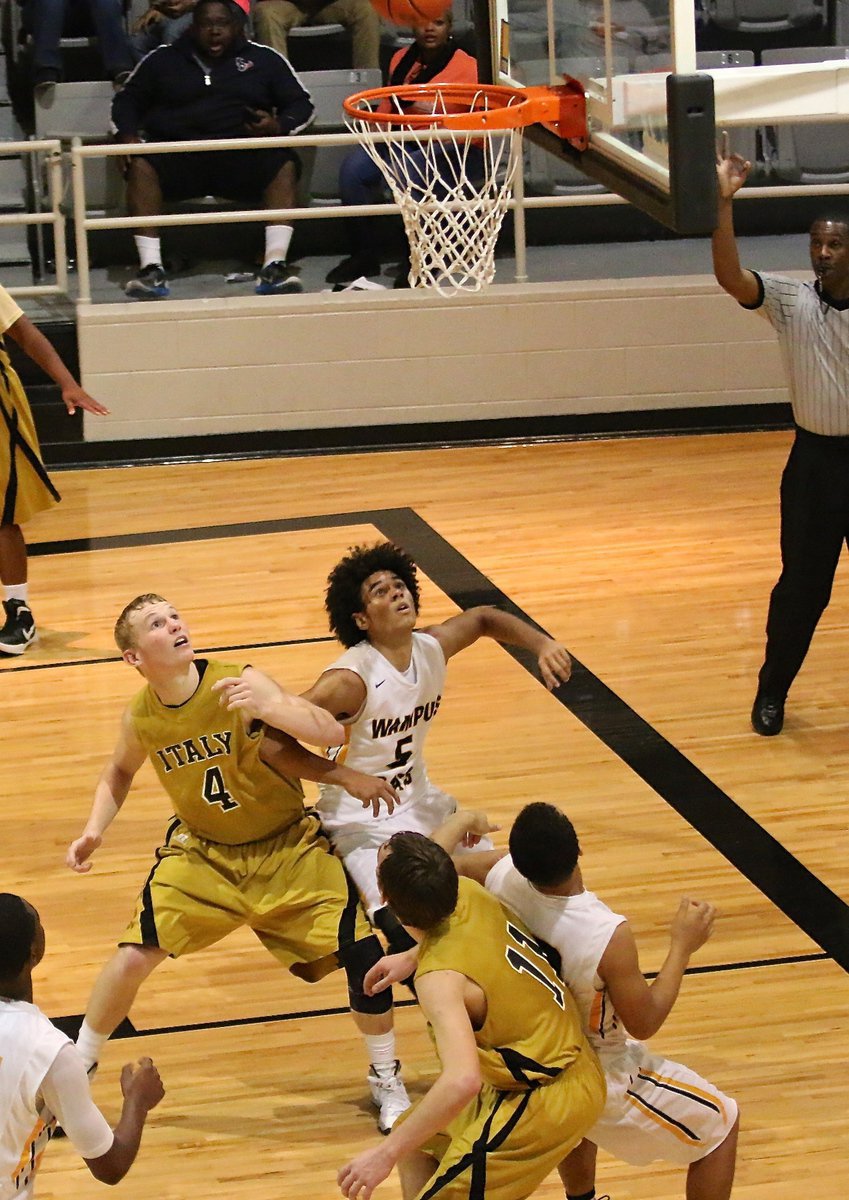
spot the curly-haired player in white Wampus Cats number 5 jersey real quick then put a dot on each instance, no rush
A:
(387, 691)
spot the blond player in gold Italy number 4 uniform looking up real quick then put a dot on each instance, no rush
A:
(240, 849)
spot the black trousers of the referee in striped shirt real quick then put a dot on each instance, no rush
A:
(815, 524)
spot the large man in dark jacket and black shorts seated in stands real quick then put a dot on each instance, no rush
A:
(213, 83)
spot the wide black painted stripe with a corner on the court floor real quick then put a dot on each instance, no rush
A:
(756, 854)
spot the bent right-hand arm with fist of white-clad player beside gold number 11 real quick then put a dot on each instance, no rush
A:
(645, 1007)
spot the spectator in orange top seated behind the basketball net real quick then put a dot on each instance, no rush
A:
(433, 58)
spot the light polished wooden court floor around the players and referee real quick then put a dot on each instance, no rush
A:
(653, 561)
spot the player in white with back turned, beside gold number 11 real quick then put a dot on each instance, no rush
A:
(657, 1109)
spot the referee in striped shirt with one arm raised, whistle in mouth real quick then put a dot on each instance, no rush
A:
(812, 323)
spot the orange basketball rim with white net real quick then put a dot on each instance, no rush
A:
(455, 181)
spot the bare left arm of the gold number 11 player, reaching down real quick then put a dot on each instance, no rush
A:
(441, 995)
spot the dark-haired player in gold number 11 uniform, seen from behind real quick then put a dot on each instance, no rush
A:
(520, 1084)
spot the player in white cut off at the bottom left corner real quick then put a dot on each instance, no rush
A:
(43, 1078)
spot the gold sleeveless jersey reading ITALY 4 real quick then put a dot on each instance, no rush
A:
(209, 764)
